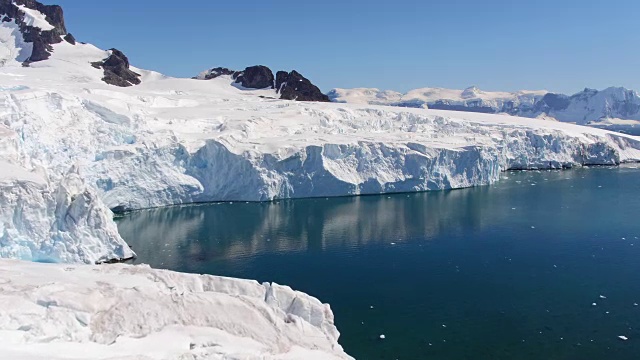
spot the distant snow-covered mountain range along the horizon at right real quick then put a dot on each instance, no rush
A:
(582, 108)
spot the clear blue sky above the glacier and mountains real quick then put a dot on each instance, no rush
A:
(559, 45)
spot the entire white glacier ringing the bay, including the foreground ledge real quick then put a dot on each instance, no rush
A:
(73, 149)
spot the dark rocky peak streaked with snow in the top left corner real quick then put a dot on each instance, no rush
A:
(41, 39)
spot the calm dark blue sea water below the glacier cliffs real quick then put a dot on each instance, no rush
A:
(509, 271)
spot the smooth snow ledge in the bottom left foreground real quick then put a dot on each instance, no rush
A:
(132, 312)
